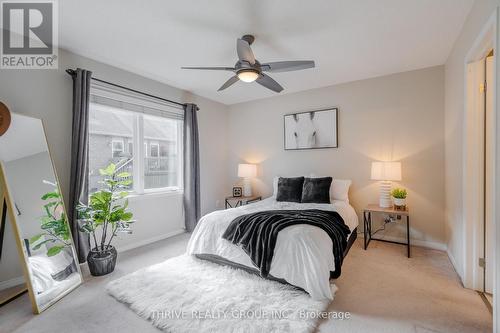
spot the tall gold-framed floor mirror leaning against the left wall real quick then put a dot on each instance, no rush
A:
(35, 217)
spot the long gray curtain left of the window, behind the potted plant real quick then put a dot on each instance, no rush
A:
(79, 157)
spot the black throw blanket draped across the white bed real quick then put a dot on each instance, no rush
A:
(257, 233)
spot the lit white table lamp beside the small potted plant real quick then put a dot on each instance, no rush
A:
(386, 172)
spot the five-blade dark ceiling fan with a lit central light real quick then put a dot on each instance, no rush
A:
(248, 69)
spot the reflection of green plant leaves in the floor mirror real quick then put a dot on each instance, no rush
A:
(56, 235)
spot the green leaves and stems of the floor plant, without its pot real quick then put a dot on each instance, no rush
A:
(107, 208)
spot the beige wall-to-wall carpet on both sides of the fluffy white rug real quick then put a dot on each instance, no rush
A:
(382, 289)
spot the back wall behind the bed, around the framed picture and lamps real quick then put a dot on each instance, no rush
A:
(395, 117)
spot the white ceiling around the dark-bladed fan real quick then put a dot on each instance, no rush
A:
(349, 40)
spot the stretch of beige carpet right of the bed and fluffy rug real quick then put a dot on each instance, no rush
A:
(387, 292)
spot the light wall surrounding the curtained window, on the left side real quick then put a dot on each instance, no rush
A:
(47, 94)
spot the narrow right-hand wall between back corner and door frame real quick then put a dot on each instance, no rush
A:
(454, 127)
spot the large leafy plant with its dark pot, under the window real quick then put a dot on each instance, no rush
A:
(107, 212)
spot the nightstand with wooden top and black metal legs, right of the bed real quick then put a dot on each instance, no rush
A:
(367, 227)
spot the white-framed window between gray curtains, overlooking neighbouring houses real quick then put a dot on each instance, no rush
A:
(130, 132)
